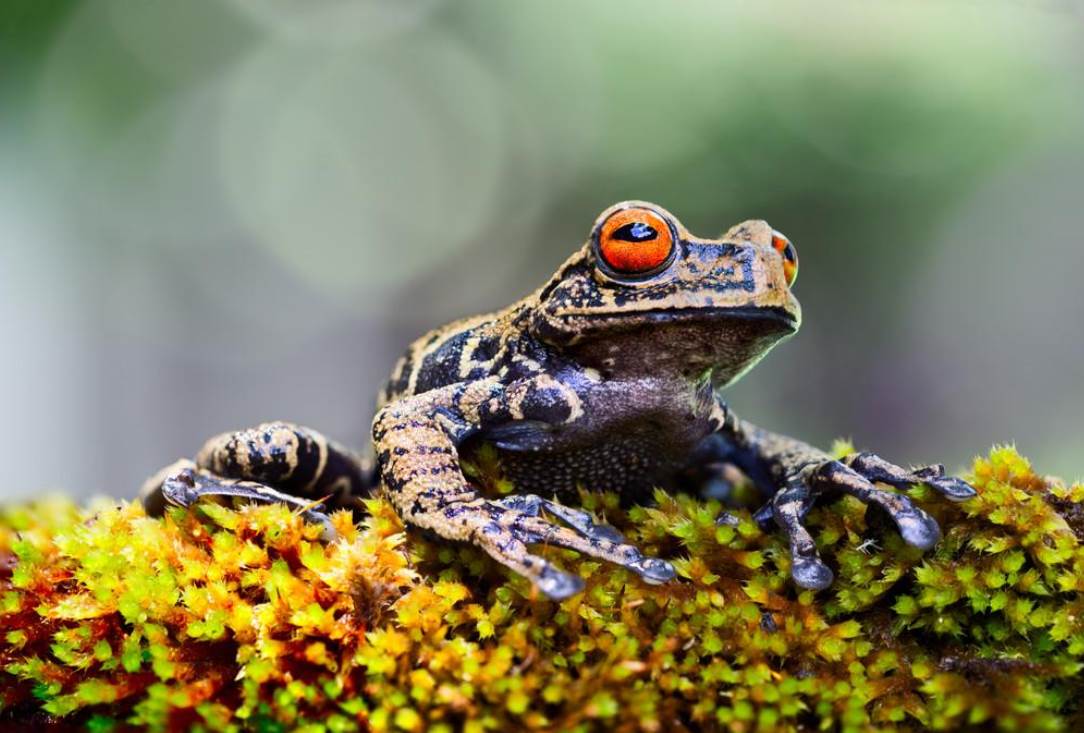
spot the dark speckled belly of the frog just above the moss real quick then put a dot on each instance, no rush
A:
(631, 466)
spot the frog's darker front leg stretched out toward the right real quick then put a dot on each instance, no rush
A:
(797, 474)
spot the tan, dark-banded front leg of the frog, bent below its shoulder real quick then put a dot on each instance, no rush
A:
(418, 441)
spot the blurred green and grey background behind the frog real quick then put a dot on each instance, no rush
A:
(217, 213)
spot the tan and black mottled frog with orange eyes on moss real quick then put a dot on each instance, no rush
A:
(611, 378)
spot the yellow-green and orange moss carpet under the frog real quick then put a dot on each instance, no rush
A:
(226, 620)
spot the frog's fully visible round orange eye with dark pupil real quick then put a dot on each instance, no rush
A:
(636, 241)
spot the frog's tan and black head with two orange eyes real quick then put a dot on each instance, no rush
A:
(643, 294)
